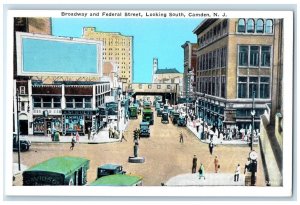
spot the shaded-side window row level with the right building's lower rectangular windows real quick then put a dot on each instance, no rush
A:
(215, 86)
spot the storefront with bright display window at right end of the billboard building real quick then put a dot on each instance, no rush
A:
(77, 121)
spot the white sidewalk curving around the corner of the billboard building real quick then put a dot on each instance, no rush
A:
(101, 137)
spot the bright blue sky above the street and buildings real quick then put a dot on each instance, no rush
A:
(161, 38)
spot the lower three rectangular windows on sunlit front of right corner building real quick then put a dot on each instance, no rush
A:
(257, 86)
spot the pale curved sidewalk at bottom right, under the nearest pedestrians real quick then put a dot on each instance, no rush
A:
(211, 179)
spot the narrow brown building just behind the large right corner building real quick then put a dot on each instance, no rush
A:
(190, 67)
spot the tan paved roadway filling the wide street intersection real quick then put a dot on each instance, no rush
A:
(164, 156)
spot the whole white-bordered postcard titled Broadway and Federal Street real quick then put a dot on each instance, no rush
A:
(149, 103)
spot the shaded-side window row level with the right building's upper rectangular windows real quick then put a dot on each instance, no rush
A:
(213, 59)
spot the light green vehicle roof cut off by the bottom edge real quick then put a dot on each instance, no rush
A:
(118, 180)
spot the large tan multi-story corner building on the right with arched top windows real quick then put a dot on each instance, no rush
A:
(236, 61)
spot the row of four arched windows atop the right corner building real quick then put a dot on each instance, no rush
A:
(255, 26)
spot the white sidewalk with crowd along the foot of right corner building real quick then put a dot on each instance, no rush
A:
(216, 140)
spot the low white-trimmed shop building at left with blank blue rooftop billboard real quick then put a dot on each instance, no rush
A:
(59, 85)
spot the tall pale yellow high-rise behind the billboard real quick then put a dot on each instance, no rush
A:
(117, 49)
